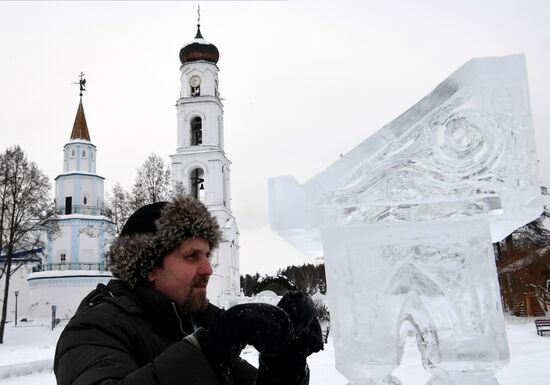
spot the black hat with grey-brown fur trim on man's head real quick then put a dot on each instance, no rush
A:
(154, 230)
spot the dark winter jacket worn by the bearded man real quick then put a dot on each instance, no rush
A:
(120, 336)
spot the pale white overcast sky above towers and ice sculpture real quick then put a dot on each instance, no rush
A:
(303, 82)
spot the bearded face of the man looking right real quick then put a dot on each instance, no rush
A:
(184, 275)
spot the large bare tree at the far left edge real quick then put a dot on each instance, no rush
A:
(26, 211)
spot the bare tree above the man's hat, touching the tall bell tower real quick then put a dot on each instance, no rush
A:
(152, 183)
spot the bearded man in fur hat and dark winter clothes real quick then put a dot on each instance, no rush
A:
(154, 324)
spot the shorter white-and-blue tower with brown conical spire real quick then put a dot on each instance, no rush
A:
(75, 255)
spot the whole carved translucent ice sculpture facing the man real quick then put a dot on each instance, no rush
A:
(405, 222)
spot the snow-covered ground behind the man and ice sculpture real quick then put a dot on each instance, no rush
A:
(27, 354)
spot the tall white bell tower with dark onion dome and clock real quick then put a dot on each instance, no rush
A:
(200, 164)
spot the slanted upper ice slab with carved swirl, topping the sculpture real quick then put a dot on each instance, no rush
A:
(465, 150)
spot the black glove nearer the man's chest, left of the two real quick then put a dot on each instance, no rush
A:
(266, 327)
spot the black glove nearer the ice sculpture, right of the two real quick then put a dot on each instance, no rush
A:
(289, 367)
